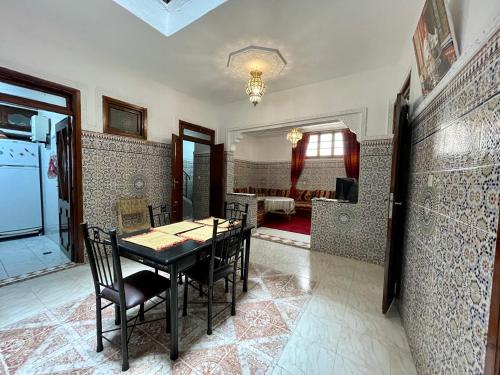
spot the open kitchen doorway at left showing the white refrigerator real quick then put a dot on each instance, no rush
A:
(39, 165)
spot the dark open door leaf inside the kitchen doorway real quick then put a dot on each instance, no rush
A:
(64, 178)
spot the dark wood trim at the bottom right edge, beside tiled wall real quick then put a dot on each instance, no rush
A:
(492, 365)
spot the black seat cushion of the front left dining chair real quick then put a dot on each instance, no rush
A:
(139, 287)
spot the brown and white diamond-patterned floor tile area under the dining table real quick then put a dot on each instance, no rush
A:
(62, 339)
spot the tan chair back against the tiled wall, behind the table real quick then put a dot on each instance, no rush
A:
(133, 214)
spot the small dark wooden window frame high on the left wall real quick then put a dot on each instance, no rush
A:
(108, 103)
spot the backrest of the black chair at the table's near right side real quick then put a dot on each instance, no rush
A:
(226, 245)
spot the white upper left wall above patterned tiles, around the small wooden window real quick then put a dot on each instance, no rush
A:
(33, 47)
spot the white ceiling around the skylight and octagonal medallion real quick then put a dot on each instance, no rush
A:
(320, 39)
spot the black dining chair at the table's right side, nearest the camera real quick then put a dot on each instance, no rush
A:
(221, 264)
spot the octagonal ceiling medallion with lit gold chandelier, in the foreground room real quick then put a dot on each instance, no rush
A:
(257, 61)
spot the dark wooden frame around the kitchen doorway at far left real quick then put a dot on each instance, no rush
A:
(72, 108)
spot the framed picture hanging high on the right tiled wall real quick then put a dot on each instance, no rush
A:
(435, 45)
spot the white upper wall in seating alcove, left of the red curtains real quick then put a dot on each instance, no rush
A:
(265, 149)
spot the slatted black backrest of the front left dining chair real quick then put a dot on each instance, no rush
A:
(105, 272)
